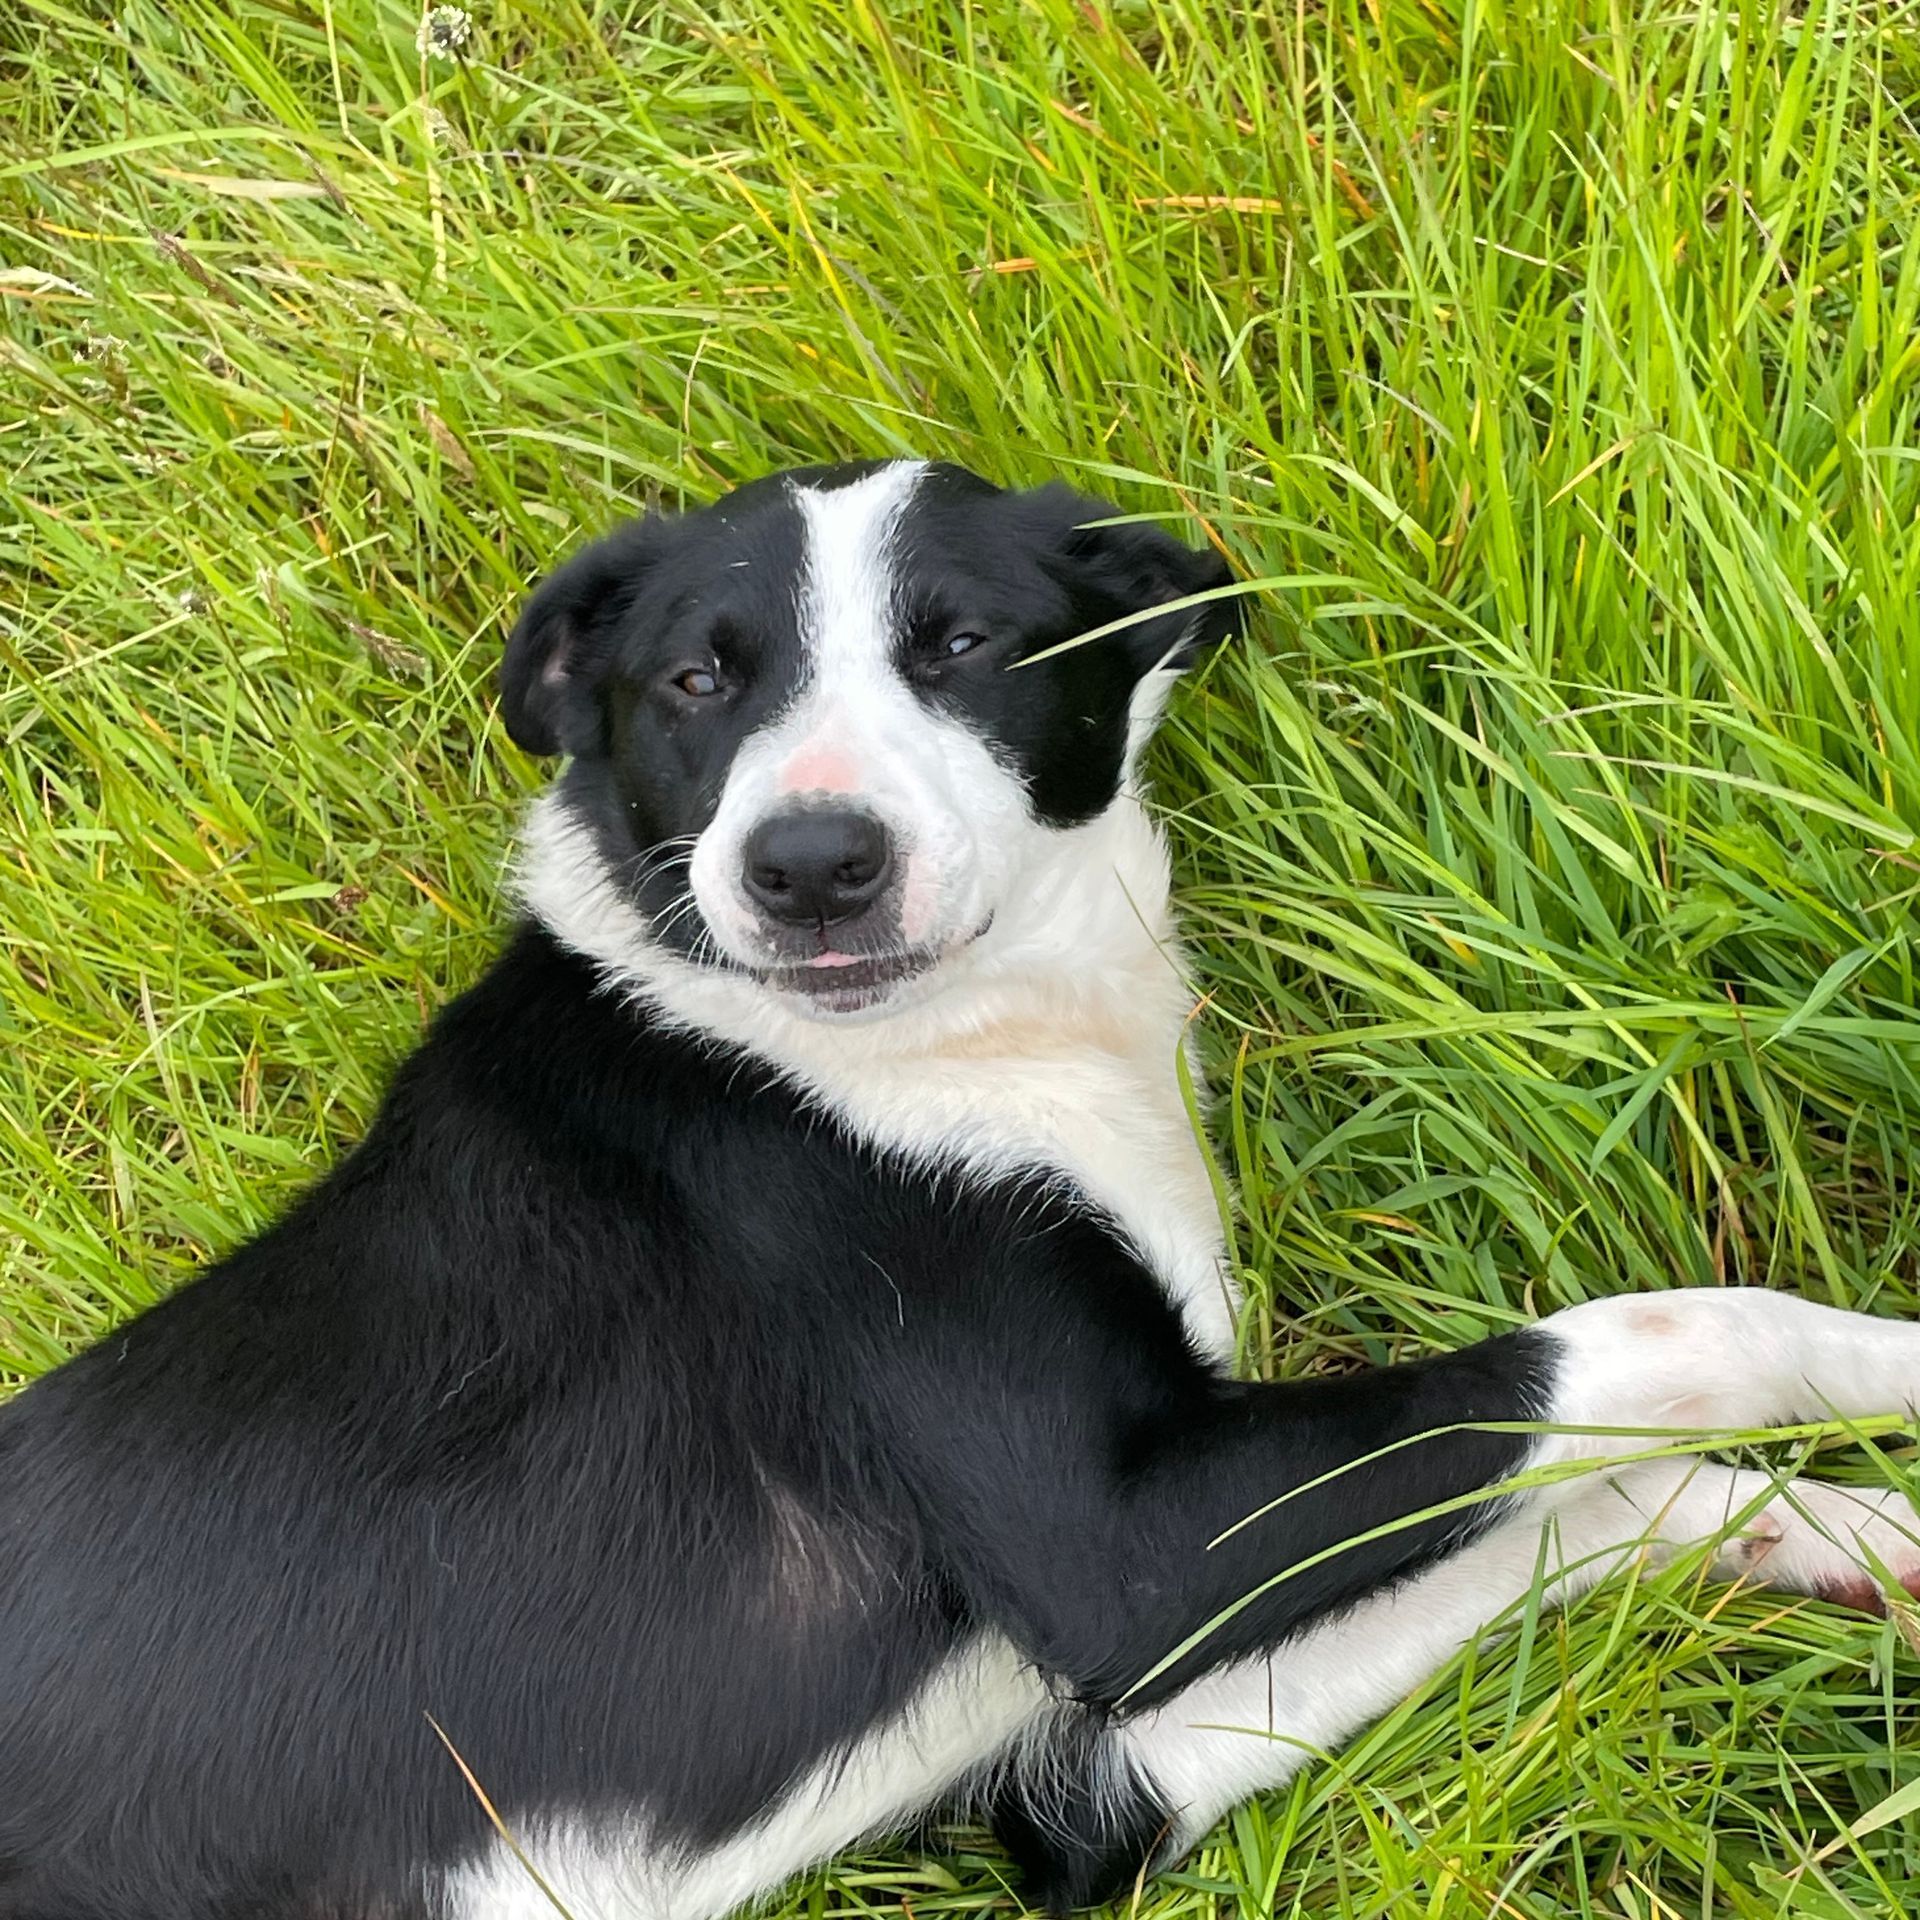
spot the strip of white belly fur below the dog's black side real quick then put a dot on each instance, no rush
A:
(617, 1871)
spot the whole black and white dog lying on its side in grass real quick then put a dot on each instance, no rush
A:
(767, 1372)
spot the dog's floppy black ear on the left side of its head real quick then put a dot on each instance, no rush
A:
(565, 640)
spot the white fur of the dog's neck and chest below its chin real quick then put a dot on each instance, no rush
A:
(1051, 1045)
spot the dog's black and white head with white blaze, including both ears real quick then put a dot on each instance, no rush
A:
(804, 736)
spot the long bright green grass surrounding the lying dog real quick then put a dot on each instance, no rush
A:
(1552, 850)
